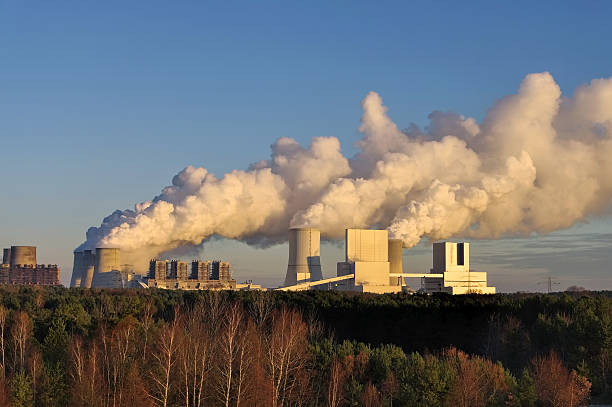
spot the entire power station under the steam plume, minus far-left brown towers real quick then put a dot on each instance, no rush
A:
(372, 264)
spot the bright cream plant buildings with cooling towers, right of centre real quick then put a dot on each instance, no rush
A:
(373, 263)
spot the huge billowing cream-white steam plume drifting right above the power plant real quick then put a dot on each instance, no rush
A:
(538, 162)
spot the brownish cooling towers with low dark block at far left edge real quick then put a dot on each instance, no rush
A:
(19, 267)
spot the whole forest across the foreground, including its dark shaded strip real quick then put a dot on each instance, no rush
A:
(79, 347)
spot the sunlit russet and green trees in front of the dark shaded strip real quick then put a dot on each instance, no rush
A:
(213, 349)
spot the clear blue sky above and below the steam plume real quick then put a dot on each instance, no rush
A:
(101, 103)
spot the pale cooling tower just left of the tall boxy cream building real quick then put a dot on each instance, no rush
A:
(304, 256)
